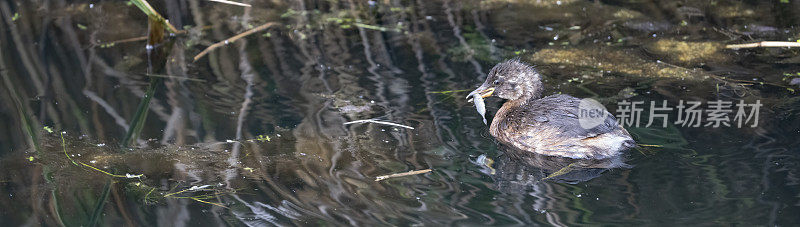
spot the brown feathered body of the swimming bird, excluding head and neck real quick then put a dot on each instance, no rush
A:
(550, 126)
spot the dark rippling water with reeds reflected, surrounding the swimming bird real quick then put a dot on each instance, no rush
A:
(202, 157)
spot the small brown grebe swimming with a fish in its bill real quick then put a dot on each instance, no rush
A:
(549, 125)
